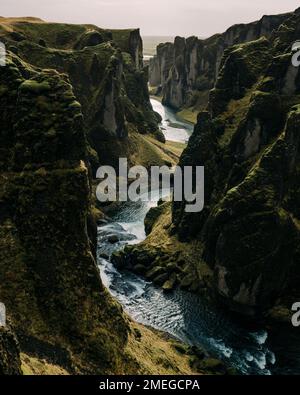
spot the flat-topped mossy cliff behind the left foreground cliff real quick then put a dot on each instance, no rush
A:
(105, 70)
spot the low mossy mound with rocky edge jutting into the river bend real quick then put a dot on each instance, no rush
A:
(162, 258)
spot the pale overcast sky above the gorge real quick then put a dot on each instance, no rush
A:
(154, 17)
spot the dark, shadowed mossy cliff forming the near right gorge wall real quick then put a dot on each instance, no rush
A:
(248, 142)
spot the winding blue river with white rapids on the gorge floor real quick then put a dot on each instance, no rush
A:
(181, 314)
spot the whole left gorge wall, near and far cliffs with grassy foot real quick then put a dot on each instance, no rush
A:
(53, 89)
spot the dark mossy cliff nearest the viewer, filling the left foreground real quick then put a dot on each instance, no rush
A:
(49, 279)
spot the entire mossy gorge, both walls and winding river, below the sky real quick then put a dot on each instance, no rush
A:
(145, 287)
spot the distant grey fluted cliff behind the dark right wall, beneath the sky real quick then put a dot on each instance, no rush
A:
(186, 70)
